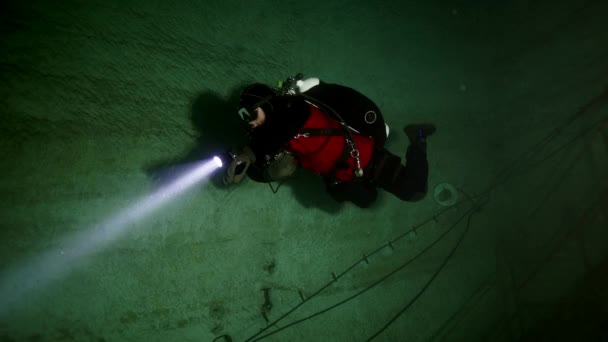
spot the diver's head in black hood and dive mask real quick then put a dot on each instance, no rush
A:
(255, 104)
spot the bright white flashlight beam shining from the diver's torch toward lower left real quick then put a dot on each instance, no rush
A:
(21, 282)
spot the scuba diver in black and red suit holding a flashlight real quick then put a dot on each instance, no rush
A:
(331, 130)
